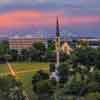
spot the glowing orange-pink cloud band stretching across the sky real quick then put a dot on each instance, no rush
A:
(20, 19)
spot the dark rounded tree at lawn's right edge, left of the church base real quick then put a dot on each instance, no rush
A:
(42, 86)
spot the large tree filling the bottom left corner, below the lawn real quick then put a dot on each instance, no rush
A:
(10, 89)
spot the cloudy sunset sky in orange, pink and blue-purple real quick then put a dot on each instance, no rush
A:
(78, 17)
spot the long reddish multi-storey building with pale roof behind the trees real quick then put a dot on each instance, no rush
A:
(19, 43)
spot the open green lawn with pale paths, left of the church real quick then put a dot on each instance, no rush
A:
(25, 71)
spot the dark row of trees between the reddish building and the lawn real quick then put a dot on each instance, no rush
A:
(38, 52)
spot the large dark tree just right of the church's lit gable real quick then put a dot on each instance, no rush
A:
(84, 56)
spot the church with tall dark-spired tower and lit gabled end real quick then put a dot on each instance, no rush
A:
(65, 47)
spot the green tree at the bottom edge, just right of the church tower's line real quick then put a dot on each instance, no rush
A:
(69, 91)
